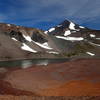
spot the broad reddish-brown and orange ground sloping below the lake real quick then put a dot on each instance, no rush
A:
(74, 78)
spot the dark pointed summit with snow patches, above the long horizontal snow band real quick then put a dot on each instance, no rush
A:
(65, 28)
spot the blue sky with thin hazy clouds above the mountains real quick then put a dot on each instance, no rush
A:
(44, 14)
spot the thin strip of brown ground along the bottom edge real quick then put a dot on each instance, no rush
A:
(48, 98)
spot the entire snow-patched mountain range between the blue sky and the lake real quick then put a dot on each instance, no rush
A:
(62, 41)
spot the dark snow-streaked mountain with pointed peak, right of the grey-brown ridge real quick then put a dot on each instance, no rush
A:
(76, 38)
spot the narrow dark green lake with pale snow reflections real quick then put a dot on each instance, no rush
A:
(29, 63)
